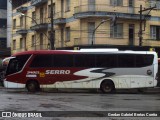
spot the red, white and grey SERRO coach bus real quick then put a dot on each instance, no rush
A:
(106, 70)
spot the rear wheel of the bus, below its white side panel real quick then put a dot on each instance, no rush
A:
(107, 87)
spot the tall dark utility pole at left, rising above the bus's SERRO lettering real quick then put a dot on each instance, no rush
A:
(52, 35)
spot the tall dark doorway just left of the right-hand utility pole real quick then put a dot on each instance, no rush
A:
(131, 34)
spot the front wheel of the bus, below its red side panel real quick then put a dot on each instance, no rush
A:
(32, 86)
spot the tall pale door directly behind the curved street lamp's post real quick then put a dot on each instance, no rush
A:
(91, 36)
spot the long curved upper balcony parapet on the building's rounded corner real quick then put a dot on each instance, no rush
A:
(106, 10)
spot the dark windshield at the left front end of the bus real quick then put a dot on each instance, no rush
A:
(16, 64)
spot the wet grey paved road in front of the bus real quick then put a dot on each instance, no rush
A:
(13, 100)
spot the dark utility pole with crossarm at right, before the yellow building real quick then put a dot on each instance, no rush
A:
(141, 22)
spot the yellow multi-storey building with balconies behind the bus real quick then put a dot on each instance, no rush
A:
(75, 22)
